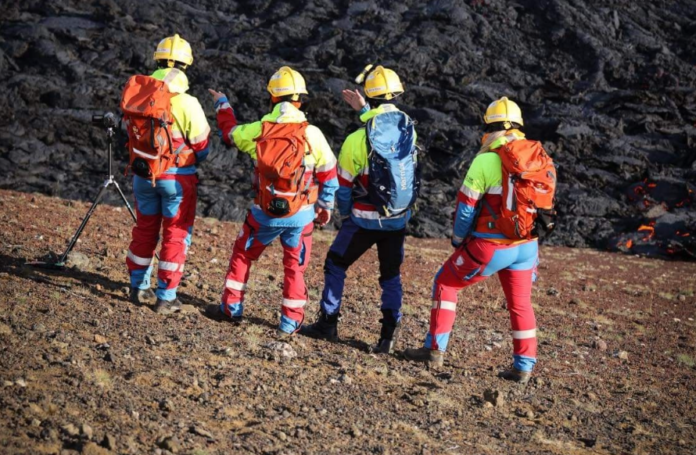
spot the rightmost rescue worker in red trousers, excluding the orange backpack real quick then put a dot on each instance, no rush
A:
(482, 250)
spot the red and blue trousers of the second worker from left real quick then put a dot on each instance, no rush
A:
(251, 242)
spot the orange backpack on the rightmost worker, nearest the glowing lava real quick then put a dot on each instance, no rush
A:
(529, 185)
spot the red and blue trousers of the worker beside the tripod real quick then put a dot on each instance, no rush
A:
(169, 207)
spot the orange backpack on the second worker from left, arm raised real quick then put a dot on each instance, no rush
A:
(280, 155)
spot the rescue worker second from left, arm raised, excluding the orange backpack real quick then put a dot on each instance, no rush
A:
(286, 87)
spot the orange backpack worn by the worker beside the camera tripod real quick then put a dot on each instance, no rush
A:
(147, 111)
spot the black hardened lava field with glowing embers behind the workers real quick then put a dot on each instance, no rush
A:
(608, 86)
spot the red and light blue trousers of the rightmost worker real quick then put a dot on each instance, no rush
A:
(474, 261)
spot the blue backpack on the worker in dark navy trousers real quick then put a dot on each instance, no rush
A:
(394, 172)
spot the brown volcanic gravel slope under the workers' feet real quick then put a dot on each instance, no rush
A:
(84, 370)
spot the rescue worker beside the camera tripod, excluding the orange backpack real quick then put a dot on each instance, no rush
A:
(171, 204)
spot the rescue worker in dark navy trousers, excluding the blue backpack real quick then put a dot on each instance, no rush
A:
(362, 225)
